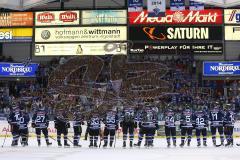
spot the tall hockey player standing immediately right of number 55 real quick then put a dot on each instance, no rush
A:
(127, 123)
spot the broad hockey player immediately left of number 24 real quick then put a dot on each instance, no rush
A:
(148, 125)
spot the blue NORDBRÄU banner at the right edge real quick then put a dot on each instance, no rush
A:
(221, 68)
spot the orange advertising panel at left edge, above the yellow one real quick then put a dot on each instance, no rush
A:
(14, 19)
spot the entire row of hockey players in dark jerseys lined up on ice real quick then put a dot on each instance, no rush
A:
(146, 120)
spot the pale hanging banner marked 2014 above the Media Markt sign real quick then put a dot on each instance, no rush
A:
(156, 8)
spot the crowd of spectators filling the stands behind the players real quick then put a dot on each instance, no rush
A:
(93, 83)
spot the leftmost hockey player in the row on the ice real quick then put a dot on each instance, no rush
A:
(13, 121)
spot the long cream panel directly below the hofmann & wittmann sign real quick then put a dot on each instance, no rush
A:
(79, 49)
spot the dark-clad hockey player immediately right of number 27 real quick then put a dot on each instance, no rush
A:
(62, 124)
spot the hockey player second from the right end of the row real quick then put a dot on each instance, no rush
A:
(216, 121)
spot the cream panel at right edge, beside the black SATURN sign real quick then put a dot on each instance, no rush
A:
(232, 33)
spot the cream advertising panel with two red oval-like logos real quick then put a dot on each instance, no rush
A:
(50, 18)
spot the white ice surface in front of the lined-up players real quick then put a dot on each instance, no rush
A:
(158, 152)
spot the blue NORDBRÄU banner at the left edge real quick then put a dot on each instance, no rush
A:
(18, 70)
